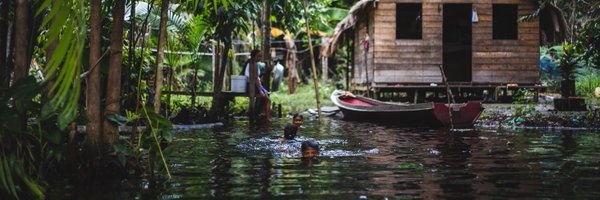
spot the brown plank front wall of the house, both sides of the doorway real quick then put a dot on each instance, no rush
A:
(417, 60)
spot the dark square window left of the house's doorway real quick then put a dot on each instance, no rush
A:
(408, 21)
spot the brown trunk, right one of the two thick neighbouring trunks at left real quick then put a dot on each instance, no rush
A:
(113, 88)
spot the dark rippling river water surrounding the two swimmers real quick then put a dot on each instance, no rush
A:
(366, 160)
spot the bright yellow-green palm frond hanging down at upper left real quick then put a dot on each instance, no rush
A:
(66, 22)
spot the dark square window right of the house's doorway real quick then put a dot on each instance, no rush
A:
(505, 22)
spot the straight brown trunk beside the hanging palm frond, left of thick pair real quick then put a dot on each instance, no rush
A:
(93, 91)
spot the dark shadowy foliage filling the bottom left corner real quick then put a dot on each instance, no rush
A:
(24, 155)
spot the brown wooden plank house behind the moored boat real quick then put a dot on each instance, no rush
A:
(400, 47)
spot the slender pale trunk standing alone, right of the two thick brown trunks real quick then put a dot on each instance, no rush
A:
(162, 39)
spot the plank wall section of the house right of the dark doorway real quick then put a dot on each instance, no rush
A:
(505, 61)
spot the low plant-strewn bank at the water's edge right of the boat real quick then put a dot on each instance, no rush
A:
(536, 116)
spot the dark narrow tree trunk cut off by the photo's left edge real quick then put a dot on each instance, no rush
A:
(3, 41)
